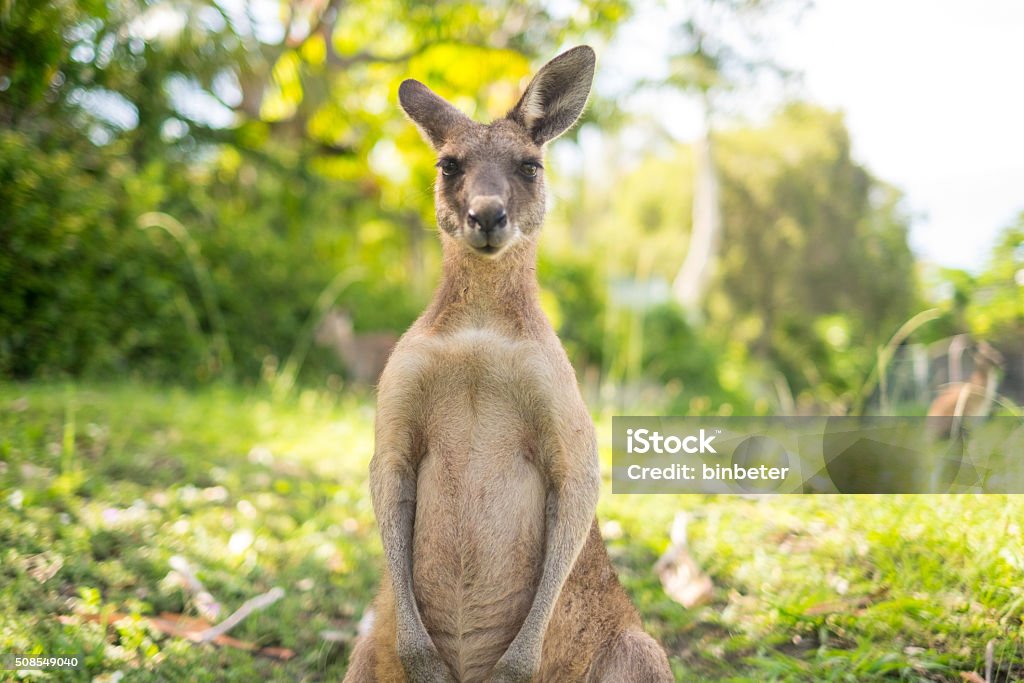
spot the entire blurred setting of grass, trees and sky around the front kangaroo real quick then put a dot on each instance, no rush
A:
(216, 223)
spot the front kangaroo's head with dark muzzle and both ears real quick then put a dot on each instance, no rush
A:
(490, 191)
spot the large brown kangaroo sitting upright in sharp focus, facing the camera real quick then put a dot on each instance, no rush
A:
(485, 478)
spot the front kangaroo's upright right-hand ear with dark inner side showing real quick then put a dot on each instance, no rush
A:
(554, 100)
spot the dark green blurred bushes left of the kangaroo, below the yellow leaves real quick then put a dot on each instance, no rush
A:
(86, 292)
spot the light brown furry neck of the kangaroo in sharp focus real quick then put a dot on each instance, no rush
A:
(484, 292)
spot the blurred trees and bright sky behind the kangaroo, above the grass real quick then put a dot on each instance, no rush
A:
(197, 192)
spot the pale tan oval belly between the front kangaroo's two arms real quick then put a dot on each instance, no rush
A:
(480, 529)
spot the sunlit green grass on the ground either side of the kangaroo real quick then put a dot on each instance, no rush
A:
(102, 486)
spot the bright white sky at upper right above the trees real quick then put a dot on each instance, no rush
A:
(933, 93)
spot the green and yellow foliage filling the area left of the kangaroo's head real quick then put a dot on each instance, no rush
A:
(284, 158)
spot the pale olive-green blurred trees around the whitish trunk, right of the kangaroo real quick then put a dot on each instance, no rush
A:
(815, 272)
